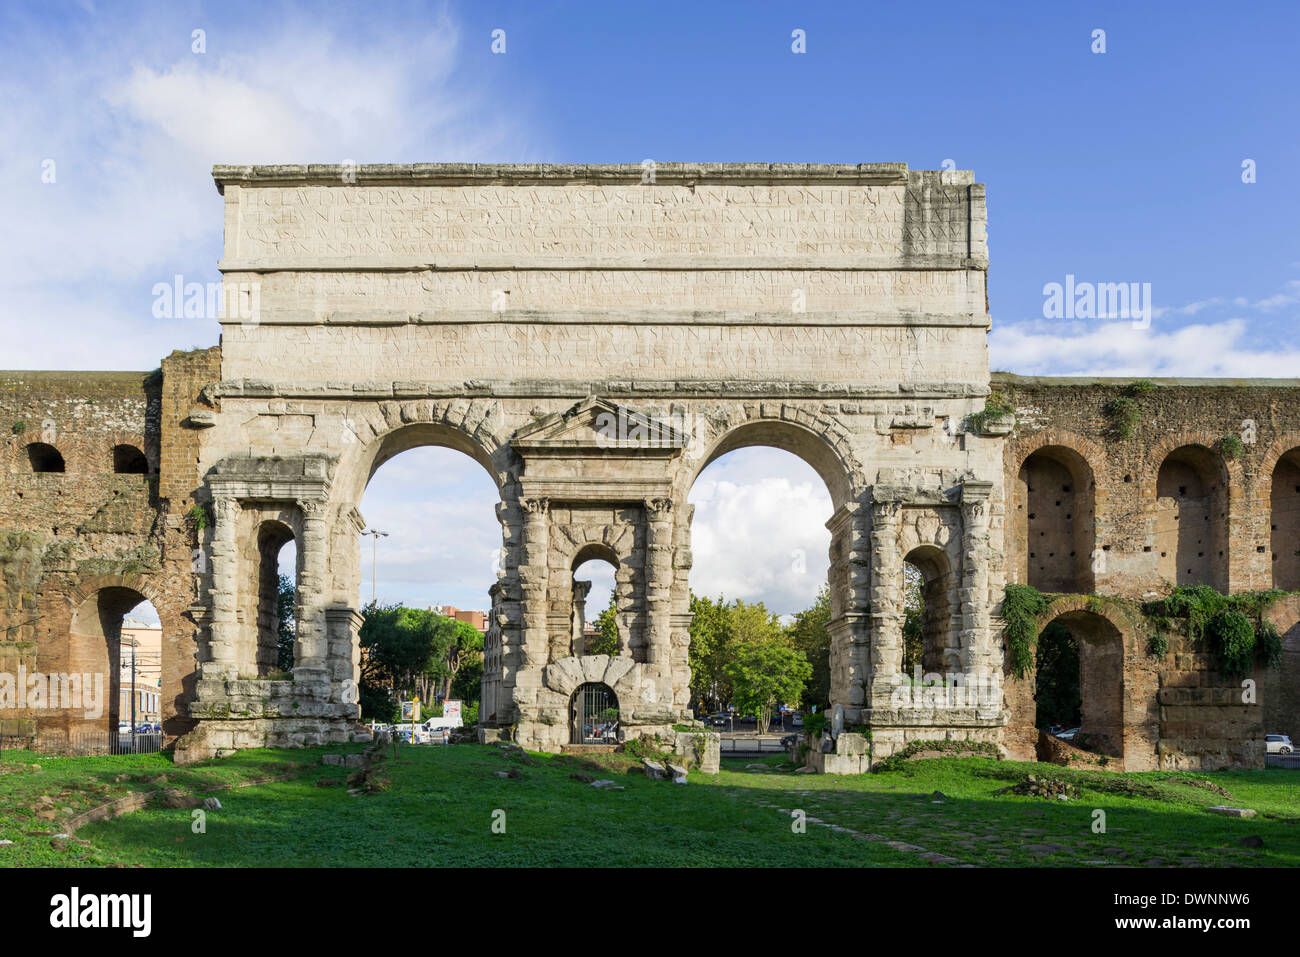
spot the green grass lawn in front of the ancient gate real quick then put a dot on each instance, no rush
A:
(441, 803)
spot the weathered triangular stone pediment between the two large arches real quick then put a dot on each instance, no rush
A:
(599, 425)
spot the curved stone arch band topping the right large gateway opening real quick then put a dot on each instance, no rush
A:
(814, 438)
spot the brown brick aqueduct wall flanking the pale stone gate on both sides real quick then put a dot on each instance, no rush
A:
(1089, 513)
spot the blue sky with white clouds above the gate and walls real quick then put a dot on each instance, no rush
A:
(1116, 167)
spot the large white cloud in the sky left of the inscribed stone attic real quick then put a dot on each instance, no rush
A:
(135, 138)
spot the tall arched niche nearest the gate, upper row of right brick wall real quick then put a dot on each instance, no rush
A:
(1055, 521)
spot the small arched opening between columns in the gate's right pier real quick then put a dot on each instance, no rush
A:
(930, 644)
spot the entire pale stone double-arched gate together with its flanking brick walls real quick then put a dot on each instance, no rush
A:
(595, 341)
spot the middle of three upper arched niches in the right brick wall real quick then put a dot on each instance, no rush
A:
(1191, 518)
